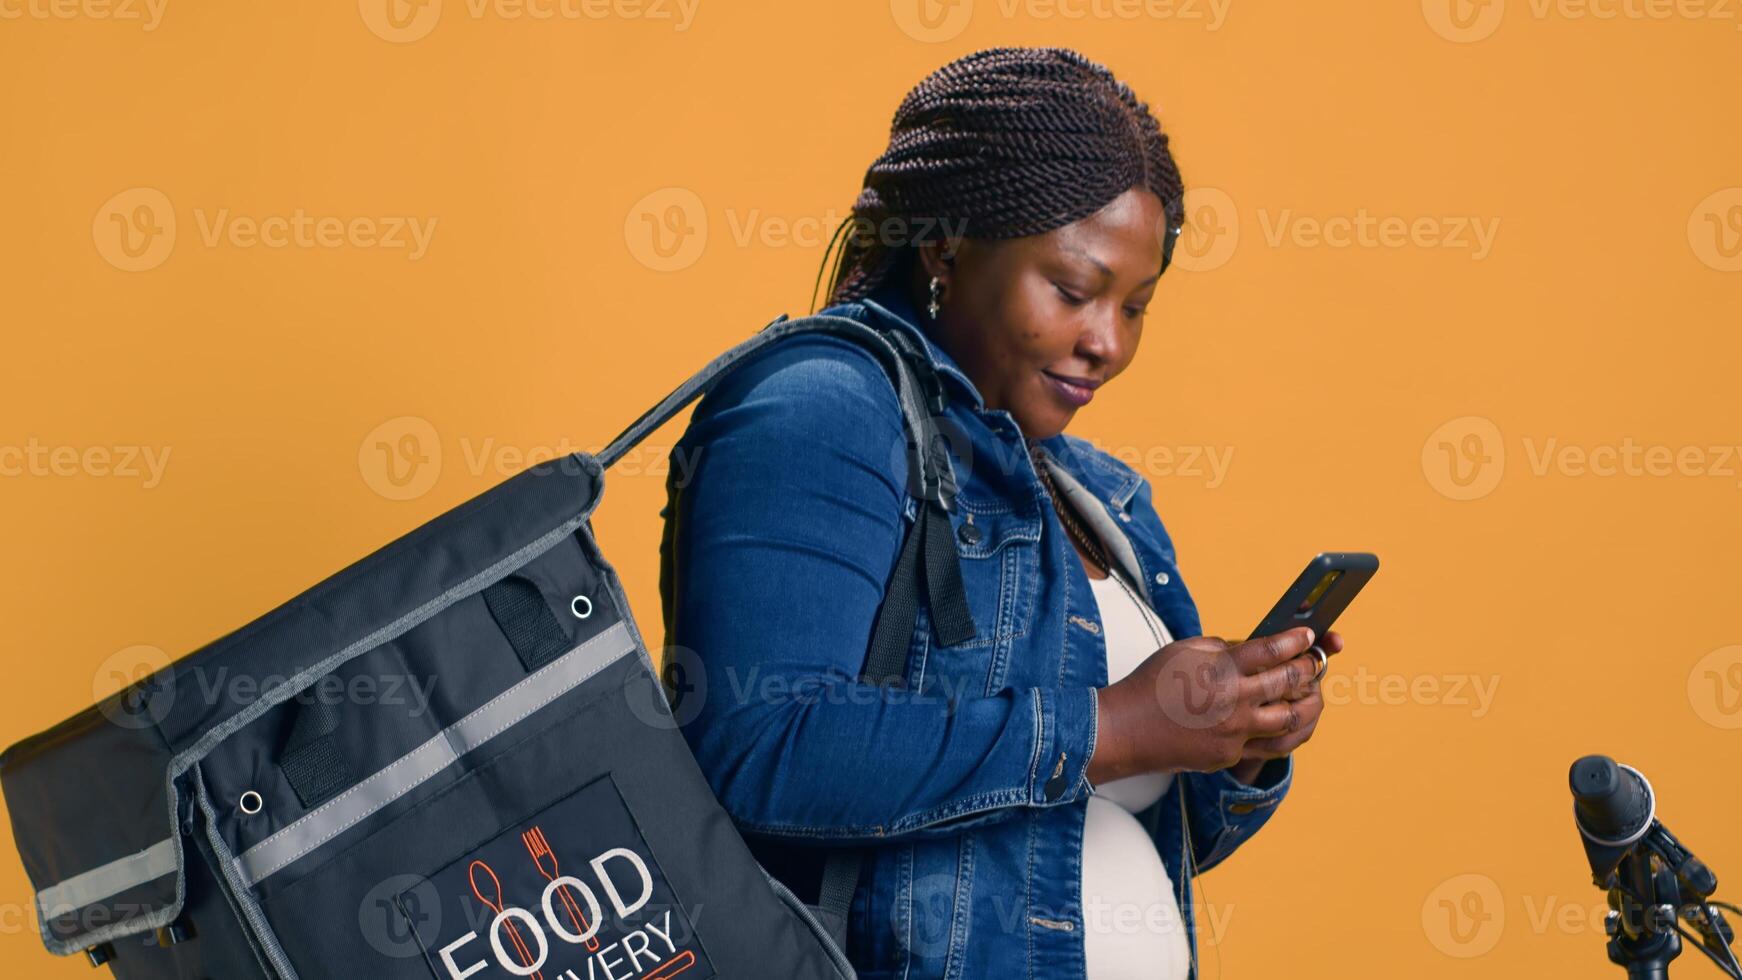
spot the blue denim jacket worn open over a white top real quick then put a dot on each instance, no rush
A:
(787, 514)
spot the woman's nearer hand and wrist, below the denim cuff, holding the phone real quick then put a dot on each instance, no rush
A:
(1199, 704)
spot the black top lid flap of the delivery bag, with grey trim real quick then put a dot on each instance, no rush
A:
(98, 803)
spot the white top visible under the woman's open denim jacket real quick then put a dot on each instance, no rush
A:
(1131, 915)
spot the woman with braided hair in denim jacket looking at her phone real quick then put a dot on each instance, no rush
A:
(1036, 802)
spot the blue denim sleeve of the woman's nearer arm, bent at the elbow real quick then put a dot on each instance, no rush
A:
(783, 530)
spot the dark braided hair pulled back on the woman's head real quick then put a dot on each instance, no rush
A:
(1003, 144)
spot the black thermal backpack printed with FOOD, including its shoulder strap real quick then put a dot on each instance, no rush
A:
(454, 760)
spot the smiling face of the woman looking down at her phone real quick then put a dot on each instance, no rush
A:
(1041, 323)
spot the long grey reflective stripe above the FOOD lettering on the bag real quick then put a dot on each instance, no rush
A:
(445, 749)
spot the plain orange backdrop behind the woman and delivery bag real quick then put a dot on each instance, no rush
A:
(1356, 389)
